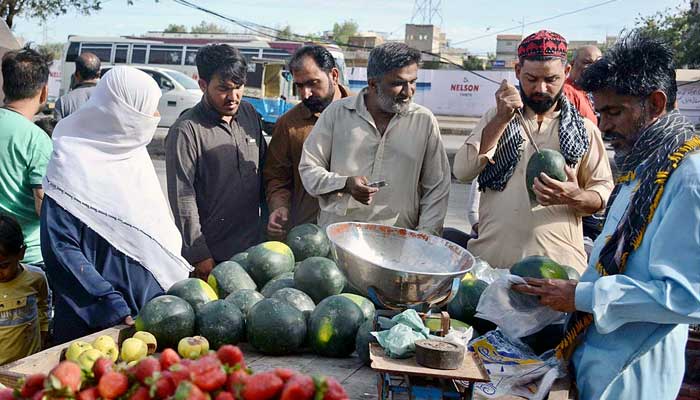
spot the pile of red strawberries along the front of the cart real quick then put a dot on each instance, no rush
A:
(216, 376)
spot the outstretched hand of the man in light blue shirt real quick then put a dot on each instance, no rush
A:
(557, 294)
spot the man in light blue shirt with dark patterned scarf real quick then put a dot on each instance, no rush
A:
(630, 311)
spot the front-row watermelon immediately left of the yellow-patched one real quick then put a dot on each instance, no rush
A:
(276, 327)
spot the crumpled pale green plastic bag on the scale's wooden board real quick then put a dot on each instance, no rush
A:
(400, 340)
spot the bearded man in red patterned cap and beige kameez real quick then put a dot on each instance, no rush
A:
(498, 151)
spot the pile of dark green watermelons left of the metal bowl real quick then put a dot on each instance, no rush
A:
(281, 298)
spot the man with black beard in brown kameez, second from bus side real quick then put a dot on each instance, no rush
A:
(316, 78)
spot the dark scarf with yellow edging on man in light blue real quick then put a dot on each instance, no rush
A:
(660, 149)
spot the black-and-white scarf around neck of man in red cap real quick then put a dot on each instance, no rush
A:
(573, 140)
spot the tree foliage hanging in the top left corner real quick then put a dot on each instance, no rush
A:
(43, 9)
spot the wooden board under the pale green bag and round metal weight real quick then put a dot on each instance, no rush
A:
(470, 370)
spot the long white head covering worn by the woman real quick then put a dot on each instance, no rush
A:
(100, 172)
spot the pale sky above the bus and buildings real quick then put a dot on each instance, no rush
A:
(461, 20)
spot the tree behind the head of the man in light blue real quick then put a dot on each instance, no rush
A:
(681, 29)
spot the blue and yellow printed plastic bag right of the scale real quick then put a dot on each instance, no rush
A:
(513, 368)
